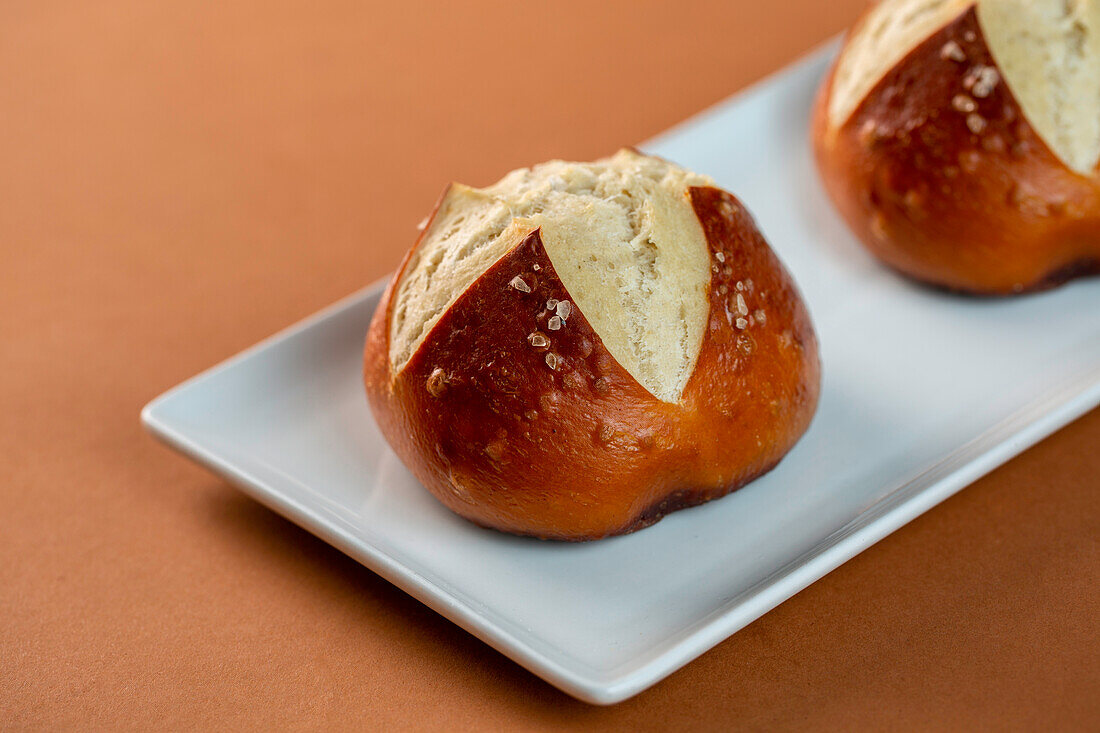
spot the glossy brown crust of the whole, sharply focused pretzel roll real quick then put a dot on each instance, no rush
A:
(581, 451)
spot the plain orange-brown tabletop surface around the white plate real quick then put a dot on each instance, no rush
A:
(179, 180)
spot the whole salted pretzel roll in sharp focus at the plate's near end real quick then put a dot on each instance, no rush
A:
(582, 348)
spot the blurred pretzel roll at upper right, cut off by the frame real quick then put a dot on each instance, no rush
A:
(960, 139)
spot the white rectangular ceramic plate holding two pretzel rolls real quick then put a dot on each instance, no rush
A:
(923, 393)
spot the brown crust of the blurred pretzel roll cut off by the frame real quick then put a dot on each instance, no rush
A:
(952, 185)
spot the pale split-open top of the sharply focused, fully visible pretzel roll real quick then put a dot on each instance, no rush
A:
(622, 236)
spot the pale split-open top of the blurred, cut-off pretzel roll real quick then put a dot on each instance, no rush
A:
(1048, 53)
